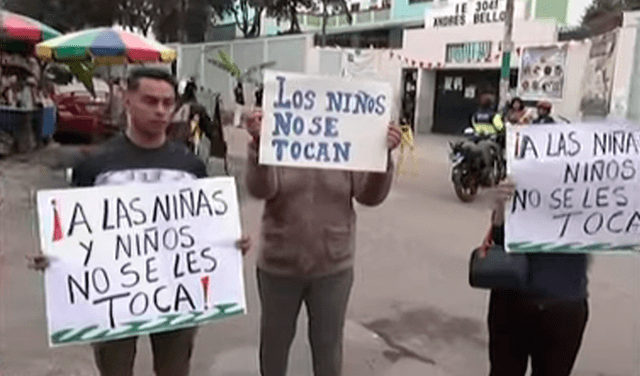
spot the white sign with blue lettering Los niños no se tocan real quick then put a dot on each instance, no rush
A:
(325, 122)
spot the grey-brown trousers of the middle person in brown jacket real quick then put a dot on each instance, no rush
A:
(326, 301)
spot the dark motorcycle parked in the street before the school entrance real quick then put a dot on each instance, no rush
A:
(468, 171)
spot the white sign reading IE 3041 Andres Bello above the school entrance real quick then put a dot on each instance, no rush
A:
(473, 12)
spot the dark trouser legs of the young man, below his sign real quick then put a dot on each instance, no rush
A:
(171, 354)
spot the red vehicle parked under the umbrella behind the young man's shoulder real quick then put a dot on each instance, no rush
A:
(82, 117)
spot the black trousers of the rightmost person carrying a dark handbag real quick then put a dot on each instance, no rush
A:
(550, 332)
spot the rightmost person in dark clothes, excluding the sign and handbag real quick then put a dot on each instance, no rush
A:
(546, 320)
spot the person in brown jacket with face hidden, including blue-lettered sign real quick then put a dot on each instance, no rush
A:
(326, 128)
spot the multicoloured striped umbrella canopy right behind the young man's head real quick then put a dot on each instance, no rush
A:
(104, 46)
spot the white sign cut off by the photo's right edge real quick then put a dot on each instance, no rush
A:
(577, 188)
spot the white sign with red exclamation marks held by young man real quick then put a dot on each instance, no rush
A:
(142, 258)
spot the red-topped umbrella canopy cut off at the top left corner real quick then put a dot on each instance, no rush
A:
(21, 28)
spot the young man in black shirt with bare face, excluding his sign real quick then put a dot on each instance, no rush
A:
(143, 155)
